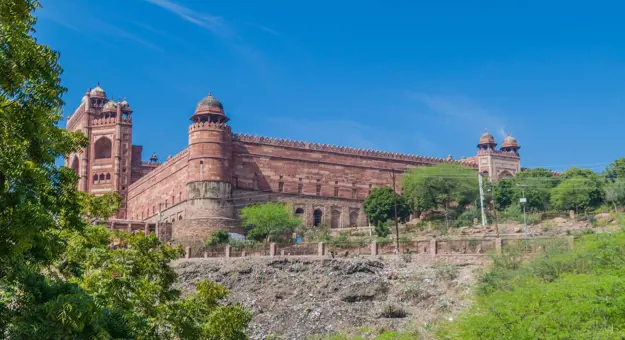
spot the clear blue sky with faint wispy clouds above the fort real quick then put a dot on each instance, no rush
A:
(420, 77)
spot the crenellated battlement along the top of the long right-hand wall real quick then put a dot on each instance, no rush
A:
(342, 149)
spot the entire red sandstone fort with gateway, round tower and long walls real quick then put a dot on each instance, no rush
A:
(201, 188)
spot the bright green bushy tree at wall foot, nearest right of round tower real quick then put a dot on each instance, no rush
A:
(268, 220)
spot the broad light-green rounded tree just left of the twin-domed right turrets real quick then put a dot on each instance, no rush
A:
(444, 186)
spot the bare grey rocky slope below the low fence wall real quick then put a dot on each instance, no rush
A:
(297, 298)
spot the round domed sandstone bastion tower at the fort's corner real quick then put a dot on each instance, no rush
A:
(209, 187)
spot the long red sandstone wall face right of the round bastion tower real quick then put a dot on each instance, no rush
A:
(269, 162)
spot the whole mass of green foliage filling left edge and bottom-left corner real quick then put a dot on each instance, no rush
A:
(59, 279)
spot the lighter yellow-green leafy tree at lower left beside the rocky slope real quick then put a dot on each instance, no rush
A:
(135, 283)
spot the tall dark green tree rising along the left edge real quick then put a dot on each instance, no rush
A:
(38, 200)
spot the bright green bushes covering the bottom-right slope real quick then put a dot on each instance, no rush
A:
(561, 295)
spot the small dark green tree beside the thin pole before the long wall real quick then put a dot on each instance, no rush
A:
(379, 207)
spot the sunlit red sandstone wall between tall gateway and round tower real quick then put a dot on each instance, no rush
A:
(163, 189)
